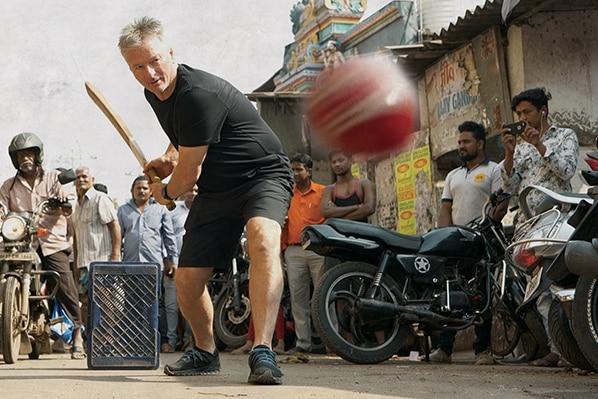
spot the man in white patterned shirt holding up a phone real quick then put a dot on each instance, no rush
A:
(544, 155)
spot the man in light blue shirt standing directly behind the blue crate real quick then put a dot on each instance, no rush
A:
(148, 233)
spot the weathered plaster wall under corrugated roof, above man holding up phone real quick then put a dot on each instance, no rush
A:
(557, 51)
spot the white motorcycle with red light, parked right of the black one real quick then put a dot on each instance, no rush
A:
(537, 250)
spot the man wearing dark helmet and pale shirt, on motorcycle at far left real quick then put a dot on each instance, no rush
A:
(23, 192)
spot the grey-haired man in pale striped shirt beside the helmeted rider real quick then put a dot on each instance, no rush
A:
(97, 235)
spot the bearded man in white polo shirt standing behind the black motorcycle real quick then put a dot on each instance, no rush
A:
(466, 188)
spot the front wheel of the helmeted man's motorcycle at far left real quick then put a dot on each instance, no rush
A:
(11, 315)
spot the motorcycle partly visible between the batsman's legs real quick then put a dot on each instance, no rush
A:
(232, 307)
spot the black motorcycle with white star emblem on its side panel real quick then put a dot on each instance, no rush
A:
(365, 307)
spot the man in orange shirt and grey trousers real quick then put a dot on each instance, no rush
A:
(303, 266)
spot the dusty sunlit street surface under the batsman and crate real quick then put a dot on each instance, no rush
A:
(324, 376)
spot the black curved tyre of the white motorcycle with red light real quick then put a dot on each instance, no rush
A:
(562, 337)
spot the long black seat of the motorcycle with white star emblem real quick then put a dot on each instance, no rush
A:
(375, 233)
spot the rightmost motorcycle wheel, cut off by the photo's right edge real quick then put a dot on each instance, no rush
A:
(585, 318)
